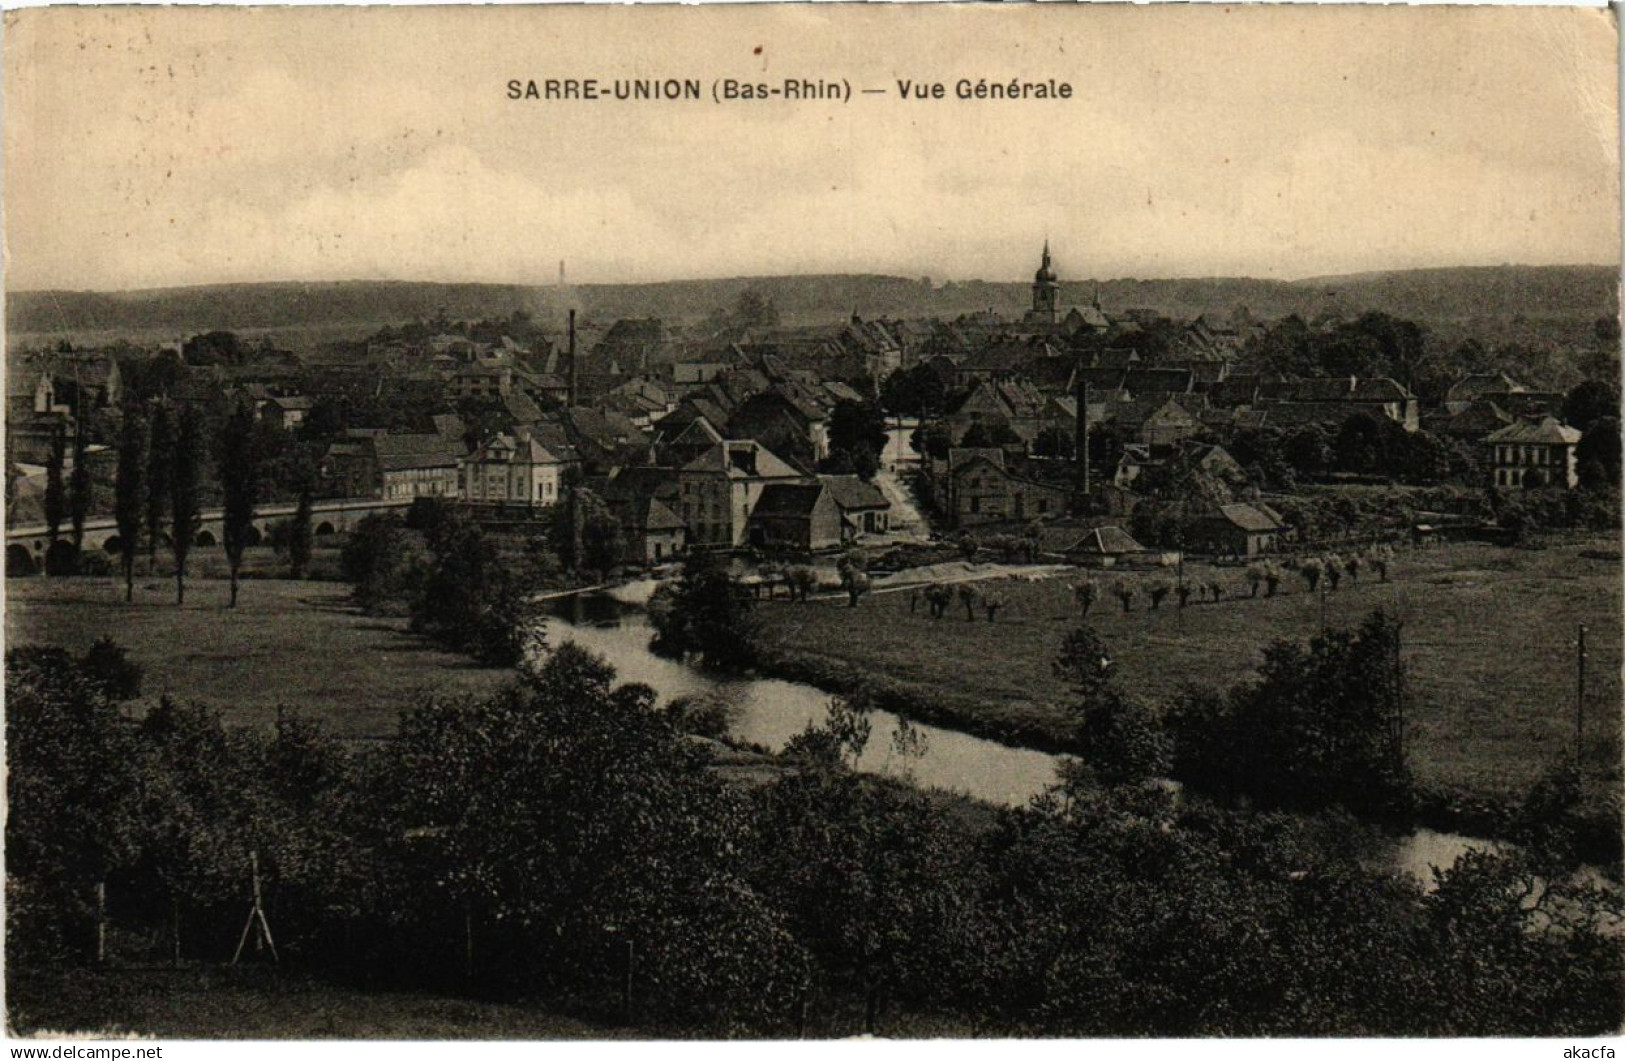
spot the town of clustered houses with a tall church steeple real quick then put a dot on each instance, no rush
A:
(1093, 435)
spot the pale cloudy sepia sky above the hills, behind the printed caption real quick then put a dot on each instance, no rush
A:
(157, 147)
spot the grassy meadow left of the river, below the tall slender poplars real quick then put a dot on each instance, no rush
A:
(297, 644)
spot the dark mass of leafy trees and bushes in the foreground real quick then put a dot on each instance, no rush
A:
(563, 841)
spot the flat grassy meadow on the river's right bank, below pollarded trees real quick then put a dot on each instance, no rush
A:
(1489, 639)
